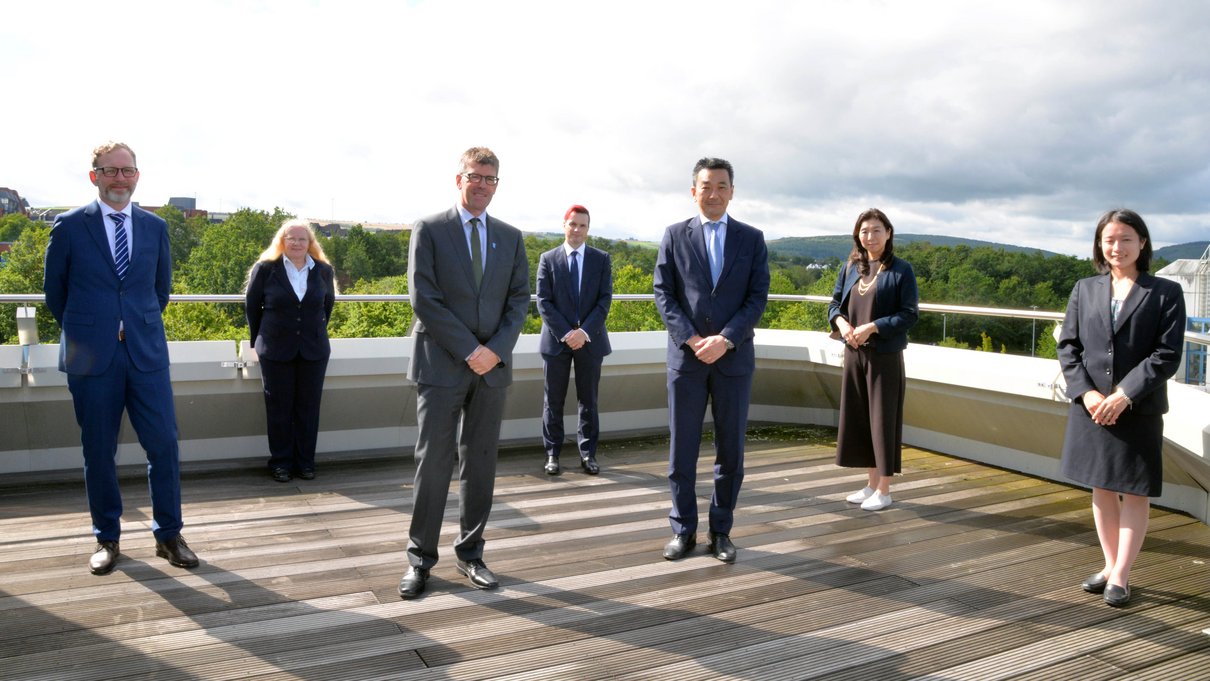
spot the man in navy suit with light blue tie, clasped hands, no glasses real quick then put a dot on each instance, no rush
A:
(712, 284)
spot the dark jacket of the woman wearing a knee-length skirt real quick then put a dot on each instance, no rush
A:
(1139, 354)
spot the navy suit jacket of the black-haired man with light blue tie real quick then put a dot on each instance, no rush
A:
(692, 305)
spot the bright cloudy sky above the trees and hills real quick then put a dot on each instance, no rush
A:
(1015, 122)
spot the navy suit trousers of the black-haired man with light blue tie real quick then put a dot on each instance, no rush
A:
(688, 396)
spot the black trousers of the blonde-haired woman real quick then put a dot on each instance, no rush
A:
(293, 391)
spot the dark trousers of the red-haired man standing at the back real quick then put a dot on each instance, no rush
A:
(556, 374)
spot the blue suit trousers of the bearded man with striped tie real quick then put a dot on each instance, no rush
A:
(147, 397)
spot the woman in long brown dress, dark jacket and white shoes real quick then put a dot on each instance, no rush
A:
(874, 304)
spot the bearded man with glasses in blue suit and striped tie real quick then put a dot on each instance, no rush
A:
(107, 282)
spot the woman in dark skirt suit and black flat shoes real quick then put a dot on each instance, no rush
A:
(1120, 345)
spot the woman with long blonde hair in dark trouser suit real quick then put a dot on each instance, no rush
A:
(289, 303)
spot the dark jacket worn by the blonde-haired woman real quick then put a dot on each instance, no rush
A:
(281, 326)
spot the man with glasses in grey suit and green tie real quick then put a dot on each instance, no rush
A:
(469, 279)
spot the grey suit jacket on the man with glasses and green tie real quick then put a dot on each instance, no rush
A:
(452, 315)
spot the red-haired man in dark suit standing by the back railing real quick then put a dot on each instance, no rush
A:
(575, 288)
